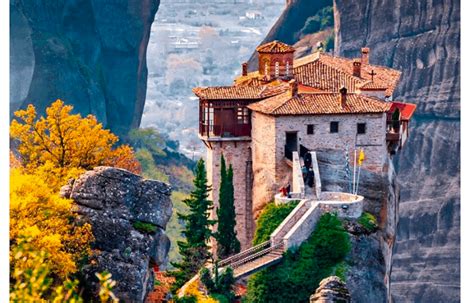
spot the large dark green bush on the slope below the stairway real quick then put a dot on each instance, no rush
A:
(299, 274)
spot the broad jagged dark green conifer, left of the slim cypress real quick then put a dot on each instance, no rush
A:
(195, 249)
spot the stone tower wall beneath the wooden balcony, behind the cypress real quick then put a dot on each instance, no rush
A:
(237, 154)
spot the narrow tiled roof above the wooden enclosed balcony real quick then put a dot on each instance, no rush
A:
(239, 92)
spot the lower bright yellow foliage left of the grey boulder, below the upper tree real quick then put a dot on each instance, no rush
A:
(40, 214)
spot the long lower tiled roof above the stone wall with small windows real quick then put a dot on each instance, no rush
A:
(319, 103)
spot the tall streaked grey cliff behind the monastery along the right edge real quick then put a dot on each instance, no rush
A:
(422, 39)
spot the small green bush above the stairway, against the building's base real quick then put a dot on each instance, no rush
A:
(272, 215)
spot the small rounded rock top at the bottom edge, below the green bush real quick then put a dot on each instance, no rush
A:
(331, 290)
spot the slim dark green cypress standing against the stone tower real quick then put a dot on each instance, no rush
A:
(227, 242)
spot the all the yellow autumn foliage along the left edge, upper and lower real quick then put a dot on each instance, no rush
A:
(50, 150)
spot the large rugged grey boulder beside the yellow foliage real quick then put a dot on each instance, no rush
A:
(113, 201)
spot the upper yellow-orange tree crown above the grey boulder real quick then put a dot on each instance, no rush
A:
(66, 140)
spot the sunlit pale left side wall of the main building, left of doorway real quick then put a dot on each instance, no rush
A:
(263, 161)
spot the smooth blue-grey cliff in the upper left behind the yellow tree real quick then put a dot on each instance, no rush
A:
(89, 53)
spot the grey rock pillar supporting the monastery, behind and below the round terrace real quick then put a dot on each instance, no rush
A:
(370, 259)
